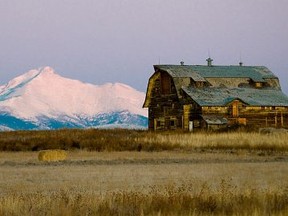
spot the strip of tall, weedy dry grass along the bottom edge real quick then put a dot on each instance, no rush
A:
(170, 199)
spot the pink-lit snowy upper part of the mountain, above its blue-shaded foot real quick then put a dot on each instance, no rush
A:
(42, 92)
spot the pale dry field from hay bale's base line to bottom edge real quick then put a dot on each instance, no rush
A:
(144, 183)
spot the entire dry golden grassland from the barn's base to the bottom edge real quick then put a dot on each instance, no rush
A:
(173, 174)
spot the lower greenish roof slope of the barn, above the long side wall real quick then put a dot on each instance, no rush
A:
(217, 96)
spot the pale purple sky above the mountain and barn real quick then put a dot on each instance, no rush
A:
(99, 41)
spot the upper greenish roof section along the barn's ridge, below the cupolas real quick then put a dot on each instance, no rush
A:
(200, 72)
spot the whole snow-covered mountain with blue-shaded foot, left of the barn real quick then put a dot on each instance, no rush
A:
(42, 99)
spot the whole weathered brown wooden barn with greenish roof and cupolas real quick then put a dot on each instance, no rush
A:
(192, 97)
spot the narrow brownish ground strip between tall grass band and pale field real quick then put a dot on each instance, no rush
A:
(131, 158)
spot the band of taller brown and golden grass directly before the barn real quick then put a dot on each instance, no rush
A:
(133, 140)
